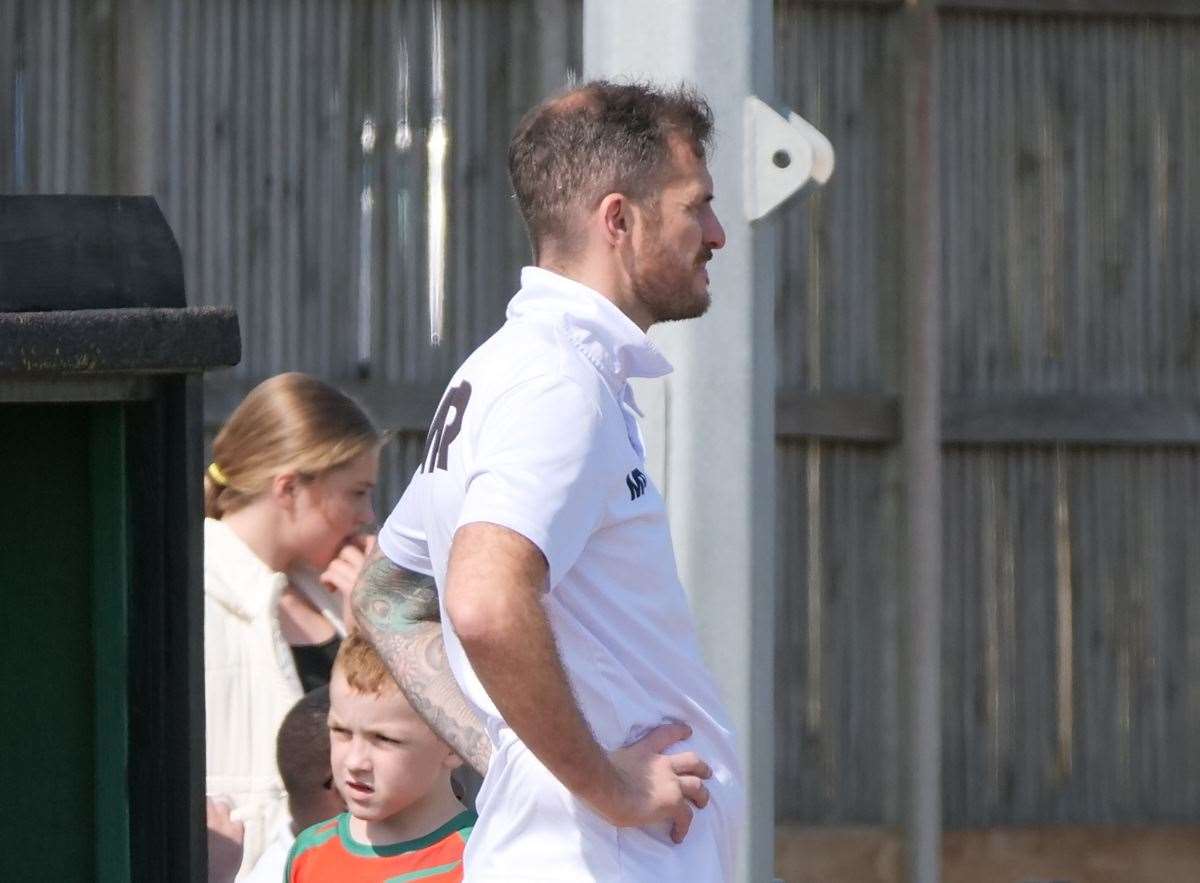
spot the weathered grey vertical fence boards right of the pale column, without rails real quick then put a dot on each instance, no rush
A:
(1071, 173)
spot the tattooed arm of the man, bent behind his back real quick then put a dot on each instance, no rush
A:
(398, 611)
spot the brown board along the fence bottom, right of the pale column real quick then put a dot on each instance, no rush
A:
(1064, 855)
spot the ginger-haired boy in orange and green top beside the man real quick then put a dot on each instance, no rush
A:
(404, 821)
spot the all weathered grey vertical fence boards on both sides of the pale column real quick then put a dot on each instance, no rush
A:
(1070, 196)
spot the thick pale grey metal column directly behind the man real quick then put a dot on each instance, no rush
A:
(711, 427)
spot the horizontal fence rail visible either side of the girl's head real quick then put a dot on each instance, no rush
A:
(395, 407)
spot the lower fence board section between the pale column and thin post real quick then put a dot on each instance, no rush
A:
(837, 716)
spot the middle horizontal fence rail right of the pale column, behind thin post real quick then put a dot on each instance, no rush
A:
(1016, 419)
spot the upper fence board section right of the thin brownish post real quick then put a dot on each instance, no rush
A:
(1071, 203)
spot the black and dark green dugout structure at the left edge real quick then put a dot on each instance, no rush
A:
(101, 542)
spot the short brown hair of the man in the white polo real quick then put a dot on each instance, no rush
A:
(575, 148)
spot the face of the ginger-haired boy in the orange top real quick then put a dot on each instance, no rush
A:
(385, 758)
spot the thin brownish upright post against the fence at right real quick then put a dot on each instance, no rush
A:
(921, 418)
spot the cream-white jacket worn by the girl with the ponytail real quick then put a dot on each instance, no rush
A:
(250, 682)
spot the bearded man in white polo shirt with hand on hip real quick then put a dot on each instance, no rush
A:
(566, 629)
